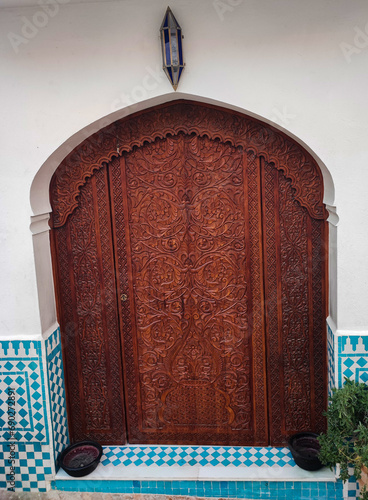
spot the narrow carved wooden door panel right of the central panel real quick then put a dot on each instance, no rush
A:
(294, 274)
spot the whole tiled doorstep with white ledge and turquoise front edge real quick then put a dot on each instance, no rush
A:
(211, 471)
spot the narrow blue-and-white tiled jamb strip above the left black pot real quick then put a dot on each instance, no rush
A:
(57, 392)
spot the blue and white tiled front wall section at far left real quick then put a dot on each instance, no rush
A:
(25, 458)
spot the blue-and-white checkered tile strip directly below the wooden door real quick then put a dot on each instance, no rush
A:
(190, 456)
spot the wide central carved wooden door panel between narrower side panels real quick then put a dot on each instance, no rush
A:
(190, 294)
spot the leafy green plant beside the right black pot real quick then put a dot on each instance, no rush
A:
(346, 440)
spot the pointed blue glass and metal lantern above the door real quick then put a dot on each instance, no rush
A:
(172, 48)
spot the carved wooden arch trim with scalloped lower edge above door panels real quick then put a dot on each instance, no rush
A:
(186, 117)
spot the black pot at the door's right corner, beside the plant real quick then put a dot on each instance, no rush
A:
(305, 448)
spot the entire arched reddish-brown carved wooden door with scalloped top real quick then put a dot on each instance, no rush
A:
(189, 249)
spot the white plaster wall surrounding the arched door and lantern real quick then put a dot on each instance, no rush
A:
(281, 60)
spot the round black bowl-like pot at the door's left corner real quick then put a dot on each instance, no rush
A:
(81, 458)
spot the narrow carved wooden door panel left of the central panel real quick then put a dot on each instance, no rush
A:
(83, 255)
